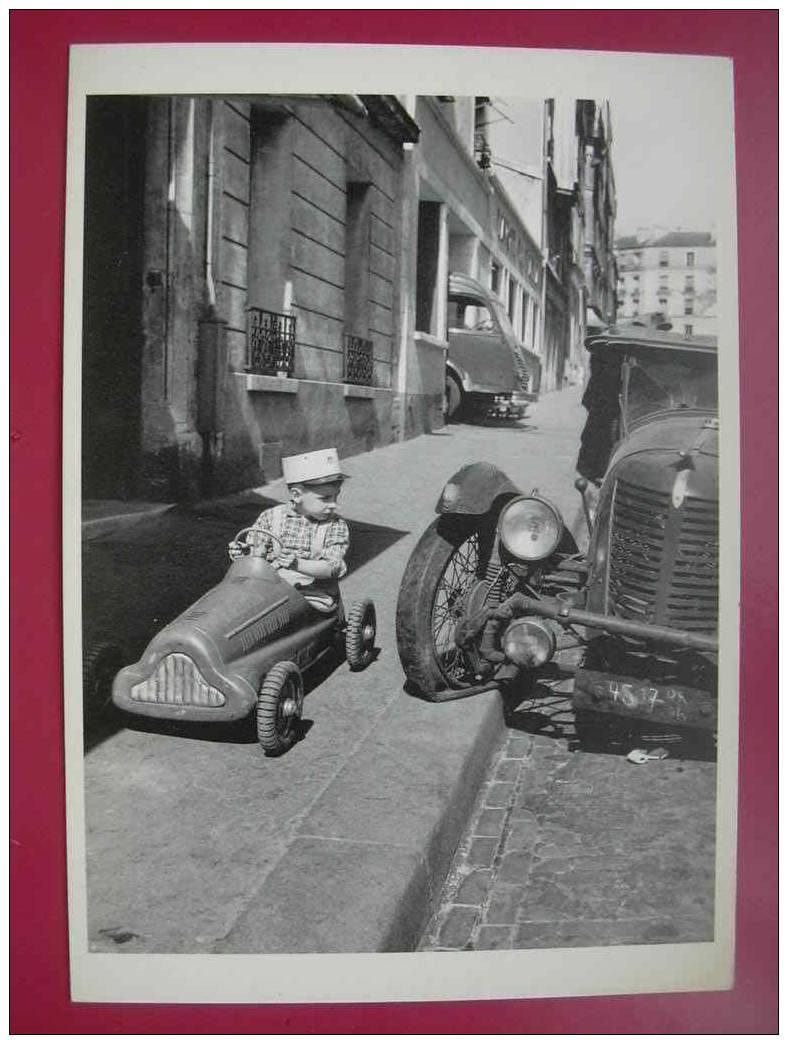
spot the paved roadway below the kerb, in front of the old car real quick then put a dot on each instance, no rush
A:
(573, 849)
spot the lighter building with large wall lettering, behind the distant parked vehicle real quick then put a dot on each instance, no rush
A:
(459, 218)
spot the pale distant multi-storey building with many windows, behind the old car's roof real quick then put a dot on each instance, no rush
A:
(673, 274)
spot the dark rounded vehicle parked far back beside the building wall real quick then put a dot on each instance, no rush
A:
(489, 373)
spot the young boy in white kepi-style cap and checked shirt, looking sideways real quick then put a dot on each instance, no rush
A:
(314, 538)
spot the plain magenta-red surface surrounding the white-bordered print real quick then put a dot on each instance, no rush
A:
(40, 42)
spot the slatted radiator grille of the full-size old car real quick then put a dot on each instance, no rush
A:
(664, 562)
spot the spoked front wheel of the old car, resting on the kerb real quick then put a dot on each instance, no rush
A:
(443, 568)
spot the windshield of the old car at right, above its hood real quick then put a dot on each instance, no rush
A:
(664, 381)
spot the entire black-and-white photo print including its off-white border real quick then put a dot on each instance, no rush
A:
(398, 563)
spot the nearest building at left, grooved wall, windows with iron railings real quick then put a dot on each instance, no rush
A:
(241, 291)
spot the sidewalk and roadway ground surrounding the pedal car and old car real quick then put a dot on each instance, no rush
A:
(192, 833)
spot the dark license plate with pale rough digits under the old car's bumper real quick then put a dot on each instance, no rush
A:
(666, 705)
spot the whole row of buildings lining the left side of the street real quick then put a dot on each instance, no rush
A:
(267, 276)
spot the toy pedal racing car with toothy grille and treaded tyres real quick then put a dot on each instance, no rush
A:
(242, 649)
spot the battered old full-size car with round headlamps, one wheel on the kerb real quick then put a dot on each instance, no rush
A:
(498, 587)
